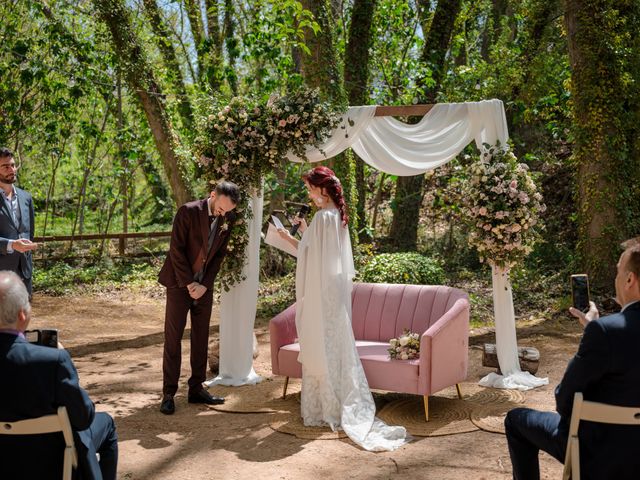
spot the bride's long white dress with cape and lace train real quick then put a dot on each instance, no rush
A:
(334, 388)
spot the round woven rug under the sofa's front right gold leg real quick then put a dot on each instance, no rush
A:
(447, 416)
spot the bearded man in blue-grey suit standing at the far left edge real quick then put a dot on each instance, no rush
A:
(16, 222)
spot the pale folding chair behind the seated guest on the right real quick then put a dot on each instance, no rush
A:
(593, 412)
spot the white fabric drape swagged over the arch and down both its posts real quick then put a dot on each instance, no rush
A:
(401, 149)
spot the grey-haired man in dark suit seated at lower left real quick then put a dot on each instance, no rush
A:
(36, 380)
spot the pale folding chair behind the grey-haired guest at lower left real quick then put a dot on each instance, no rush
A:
(47, 424)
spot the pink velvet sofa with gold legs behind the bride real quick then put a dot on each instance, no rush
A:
(381, 312)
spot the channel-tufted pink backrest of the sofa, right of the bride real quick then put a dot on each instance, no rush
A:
(381, 311)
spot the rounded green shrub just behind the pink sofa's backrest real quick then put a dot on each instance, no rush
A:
(406, 268)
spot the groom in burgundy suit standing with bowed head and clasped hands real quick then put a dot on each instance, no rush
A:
(199, 239)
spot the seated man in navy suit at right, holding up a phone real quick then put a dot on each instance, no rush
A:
(606, 369)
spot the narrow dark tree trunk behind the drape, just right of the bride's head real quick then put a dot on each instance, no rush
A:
(356, 79)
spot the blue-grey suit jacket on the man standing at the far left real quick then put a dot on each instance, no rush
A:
(17, 262)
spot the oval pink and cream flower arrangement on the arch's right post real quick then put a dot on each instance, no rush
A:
(502, 207)
